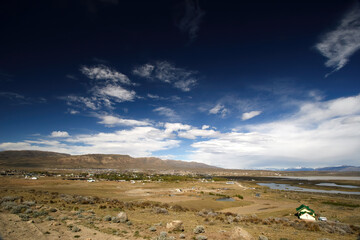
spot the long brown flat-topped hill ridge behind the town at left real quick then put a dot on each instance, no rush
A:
(41, 159)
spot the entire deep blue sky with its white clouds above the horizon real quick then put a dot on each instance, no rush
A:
(235, 85)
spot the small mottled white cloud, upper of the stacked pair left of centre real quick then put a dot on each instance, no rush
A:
(102, 72)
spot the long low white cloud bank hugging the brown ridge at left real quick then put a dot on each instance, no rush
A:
(137, 142)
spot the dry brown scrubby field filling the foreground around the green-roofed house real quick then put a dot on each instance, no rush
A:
(53, 208)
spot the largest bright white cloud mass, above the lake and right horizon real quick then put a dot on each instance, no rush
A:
(320, 134)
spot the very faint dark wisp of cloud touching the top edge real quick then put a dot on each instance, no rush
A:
(190, 20)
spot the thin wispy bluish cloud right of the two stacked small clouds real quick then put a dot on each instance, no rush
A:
(167, 72)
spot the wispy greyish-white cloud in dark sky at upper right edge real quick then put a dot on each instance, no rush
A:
(338, 45)
